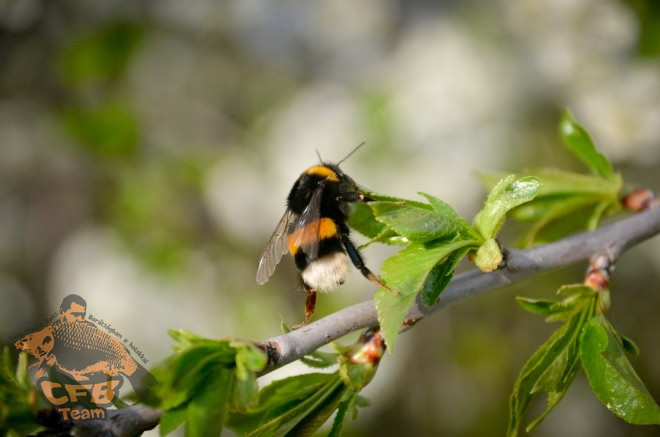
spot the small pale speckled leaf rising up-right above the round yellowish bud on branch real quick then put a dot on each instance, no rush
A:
(507, 194)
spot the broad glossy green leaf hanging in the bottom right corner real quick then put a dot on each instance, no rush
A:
(612, 377)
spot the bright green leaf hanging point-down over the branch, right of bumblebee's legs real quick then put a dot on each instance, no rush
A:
(406, 272)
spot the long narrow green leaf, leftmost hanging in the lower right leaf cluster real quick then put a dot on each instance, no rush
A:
(550, 369)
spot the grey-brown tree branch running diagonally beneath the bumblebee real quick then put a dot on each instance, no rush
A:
(613, 240)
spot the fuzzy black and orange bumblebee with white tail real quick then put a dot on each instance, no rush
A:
(314, 230)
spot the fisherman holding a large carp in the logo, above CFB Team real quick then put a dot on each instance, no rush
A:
(81, 351)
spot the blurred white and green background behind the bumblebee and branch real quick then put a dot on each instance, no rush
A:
(147, 147)
